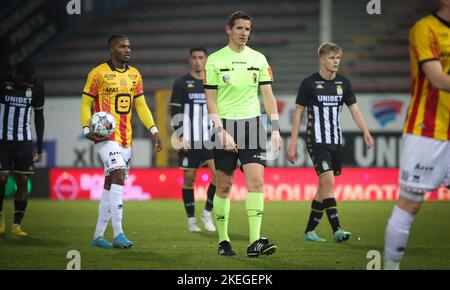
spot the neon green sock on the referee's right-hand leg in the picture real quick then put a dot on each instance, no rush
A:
(255, 206)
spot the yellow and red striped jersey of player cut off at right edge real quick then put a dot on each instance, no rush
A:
(429, 112)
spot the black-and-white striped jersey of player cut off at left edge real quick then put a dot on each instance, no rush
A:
(16, 104)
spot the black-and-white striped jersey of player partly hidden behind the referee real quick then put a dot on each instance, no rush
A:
(189, 99)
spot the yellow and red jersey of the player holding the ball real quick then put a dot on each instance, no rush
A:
(114, 91)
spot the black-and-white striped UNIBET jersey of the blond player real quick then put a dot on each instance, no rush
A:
(324, 100)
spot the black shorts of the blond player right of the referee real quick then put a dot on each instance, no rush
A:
(325, 158)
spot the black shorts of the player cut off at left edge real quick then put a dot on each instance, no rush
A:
(16, 156)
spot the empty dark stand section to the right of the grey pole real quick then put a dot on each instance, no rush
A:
(376, 52)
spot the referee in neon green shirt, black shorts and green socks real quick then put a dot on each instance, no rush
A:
(233, 77)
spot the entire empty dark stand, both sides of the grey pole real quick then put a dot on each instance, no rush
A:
(286, 31)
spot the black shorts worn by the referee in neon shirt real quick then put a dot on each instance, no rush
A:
(250, 137)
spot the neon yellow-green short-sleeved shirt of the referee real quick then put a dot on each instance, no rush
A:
(237, 76)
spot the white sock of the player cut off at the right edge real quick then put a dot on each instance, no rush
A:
(397, 232)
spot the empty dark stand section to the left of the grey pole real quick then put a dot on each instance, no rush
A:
(162, 31)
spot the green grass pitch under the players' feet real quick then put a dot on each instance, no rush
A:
(159, 230)
